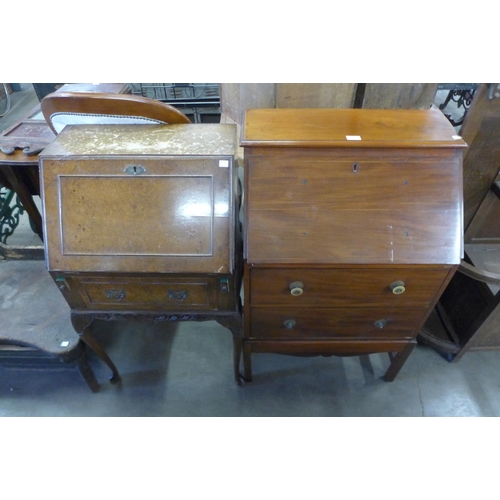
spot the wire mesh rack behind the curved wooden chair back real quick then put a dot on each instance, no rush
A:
(200, 101)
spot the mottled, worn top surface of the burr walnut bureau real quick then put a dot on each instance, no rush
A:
(185, 139)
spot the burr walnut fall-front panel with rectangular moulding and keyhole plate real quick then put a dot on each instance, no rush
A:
(139, 214)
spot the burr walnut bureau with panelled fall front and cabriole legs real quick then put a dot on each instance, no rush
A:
(140, 222)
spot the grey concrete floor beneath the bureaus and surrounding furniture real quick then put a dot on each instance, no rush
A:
(185, 369)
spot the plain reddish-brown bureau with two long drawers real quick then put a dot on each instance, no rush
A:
(353, 228)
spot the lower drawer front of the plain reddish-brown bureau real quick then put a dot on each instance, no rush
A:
(369, 323)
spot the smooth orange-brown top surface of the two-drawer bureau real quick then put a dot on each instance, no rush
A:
(348, 128)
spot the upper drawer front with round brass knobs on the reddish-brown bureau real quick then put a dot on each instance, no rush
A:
(302, 287)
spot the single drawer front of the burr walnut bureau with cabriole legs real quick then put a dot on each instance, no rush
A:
(136, 293)
